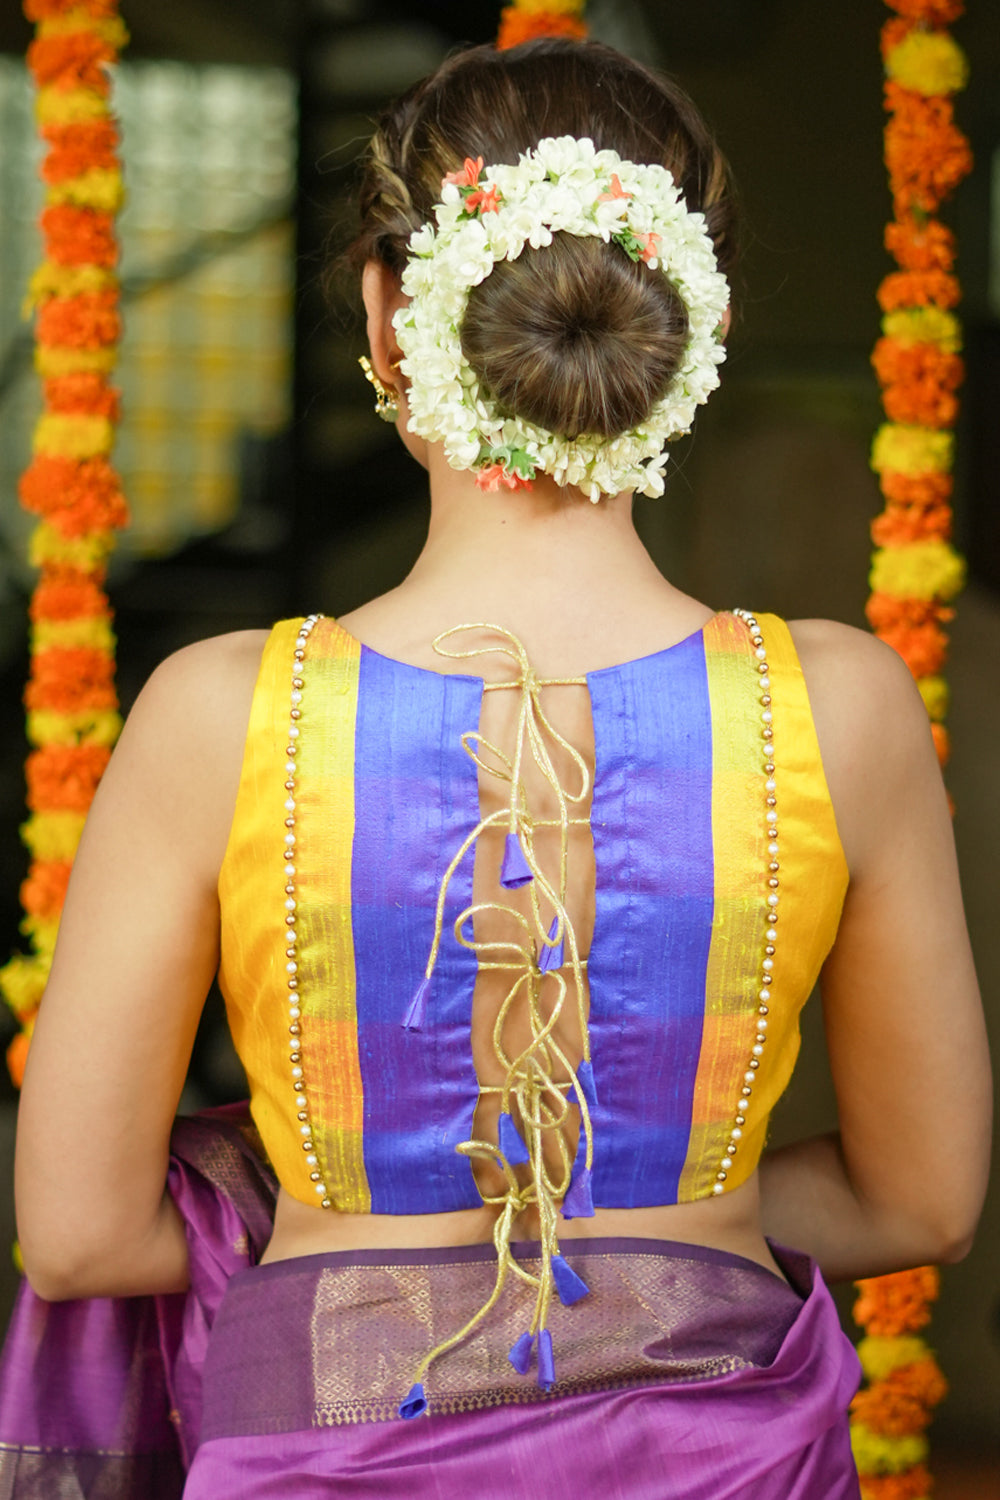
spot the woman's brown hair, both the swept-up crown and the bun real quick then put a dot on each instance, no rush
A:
(573, 337)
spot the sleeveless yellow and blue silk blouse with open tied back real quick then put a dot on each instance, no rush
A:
(385, 797)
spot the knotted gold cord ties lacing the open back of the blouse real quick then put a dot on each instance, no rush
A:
(543, 1105)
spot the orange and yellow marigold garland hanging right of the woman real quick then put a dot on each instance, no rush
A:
(915, 574)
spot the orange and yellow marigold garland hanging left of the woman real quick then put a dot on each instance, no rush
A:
(73, 718)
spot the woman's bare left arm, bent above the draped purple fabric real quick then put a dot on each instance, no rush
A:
(137, 953)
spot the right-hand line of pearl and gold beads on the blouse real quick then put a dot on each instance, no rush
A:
(767, 980)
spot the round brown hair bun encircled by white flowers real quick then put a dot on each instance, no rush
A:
(576, 337)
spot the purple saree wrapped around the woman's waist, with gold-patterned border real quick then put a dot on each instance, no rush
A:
(686, 1373)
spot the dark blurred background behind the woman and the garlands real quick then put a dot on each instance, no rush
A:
(265, 487)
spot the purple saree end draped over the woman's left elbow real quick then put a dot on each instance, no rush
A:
(101, 1399)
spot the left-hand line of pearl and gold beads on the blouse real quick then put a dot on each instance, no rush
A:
(292, 920)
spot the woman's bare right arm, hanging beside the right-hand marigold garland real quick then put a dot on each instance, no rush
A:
(905, 1178)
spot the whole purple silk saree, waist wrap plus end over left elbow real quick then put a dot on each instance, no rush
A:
(686, 1373)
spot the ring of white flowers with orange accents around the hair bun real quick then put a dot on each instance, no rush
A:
(491, 214)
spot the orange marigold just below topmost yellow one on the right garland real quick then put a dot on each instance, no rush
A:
(926, 152)
